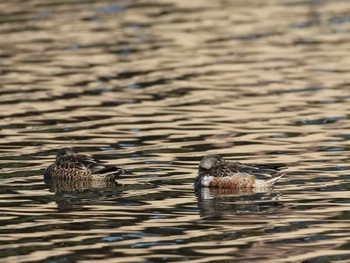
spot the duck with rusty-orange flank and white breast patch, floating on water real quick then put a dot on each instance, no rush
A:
(215, 172)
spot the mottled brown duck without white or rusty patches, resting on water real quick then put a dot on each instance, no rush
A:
(75, 166)
